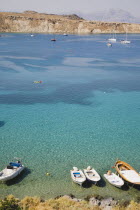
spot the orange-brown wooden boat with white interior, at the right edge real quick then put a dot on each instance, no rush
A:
(127, 172)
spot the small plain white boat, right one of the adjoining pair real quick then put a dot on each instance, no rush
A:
(91, 174)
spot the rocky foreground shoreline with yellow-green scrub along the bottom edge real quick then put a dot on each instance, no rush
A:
(67, 202)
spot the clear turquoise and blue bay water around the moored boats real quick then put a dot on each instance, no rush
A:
(85, 112)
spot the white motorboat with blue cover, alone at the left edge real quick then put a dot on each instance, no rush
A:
(11, 171)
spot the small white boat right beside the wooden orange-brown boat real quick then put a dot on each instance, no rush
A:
(114, 179)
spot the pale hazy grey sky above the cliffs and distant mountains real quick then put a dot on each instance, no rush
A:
(69, 6)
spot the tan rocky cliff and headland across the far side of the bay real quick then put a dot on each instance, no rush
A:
(44, 23)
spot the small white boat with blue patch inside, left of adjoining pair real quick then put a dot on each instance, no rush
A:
(77, 176)
